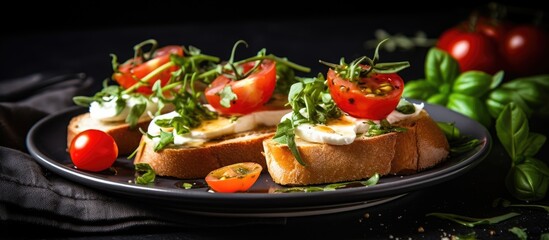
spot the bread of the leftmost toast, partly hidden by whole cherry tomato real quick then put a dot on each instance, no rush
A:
(126, 138)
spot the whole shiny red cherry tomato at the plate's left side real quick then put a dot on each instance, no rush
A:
(93, 150)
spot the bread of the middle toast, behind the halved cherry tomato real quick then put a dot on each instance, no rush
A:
(188, 162)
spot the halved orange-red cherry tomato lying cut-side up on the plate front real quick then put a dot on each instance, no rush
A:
(238, 177)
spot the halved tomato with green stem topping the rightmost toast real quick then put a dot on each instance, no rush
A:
(365, 88)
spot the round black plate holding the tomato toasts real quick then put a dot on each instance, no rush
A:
(47, 143)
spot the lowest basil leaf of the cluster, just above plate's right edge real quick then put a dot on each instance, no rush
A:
(471, 107)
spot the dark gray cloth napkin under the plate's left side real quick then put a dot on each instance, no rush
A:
(33, 196)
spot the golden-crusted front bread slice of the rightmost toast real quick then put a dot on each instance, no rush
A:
(325, 163)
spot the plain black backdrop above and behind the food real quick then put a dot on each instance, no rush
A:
(79, 35)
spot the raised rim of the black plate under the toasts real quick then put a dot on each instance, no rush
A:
(282, 201)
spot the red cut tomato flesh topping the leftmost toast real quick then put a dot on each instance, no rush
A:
(131, 71)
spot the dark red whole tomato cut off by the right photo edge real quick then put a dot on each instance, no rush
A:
(524, 49)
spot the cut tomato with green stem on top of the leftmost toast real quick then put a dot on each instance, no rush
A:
(146, 65)
